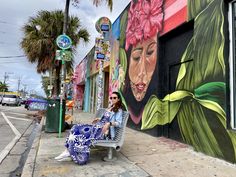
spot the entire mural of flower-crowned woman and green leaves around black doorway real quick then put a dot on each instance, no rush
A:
(199, 100)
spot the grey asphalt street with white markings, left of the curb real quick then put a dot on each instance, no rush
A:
(16, 133)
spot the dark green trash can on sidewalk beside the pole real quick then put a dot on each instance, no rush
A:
(53, 116)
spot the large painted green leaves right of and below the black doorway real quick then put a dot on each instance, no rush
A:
(199, 100)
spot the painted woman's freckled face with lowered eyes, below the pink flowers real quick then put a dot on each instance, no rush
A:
(142, 65)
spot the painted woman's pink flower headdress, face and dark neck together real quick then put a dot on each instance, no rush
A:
(144, 24)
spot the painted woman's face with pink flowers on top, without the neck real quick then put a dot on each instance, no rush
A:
(144, 23)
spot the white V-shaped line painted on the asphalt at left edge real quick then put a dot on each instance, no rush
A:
(8, 148)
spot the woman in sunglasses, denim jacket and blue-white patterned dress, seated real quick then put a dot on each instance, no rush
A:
(82, 136)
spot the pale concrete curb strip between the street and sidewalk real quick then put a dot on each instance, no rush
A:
(29, 165)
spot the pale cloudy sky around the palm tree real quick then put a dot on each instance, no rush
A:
(15, 13)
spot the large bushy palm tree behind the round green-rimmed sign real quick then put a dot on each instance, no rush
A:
(39, 38)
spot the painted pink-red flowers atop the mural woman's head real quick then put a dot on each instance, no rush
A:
(144, 21)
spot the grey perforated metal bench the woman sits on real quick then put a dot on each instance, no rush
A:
(119, 137)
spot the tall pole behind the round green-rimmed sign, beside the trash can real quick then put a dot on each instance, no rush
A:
(63, 68)
